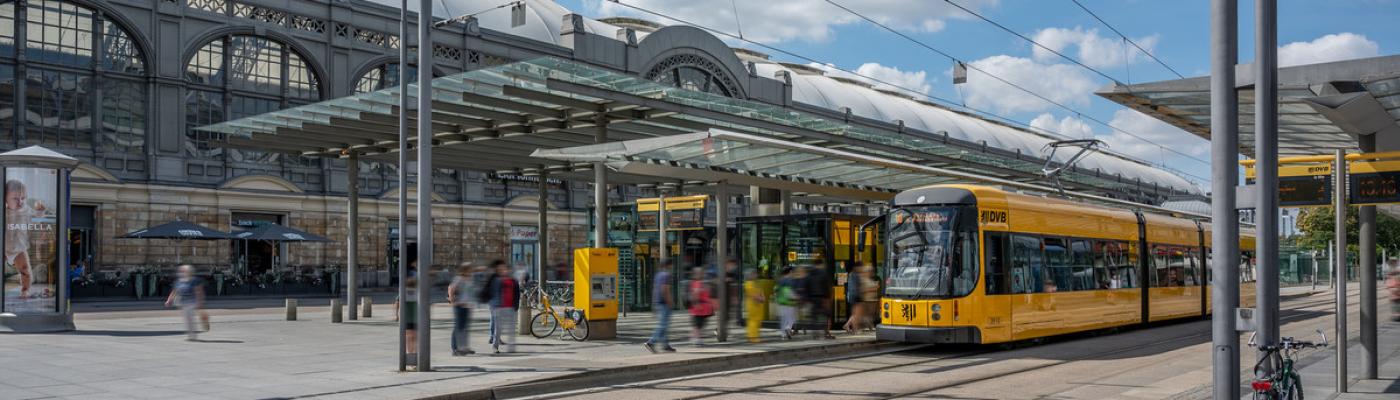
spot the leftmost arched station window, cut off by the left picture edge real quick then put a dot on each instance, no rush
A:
(83, 83)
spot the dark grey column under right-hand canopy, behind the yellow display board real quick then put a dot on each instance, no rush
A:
(1367, 276)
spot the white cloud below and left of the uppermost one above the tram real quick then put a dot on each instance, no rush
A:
(1060, 83)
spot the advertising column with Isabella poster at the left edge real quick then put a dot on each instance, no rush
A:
(36, 220)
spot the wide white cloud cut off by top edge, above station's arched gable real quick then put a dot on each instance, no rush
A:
(787, 20)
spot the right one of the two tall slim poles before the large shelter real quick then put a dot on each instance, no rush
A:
(425, 286)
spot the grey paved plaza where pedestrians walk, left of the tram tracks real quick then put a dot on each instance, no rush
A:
(254, 353)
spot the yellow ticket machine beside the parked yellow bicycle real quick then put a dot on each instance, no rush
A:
(596, 290)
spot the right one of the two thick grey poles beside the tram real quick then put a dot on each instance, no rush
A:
(1266, 170)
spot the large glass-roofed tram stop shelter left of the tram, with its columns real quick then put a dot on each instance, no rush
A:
(587, 124)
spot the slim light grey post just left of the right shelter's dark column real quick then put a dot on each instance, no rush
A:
(1339, 195)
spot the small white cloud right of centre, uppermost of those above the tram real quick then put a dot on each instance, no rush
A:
(1091, 50)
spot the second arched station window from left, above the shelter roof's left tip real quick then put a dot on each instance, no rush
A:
(241, 76)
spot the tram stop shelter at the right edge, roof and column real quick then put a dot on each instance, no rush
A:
(1352, 106)
